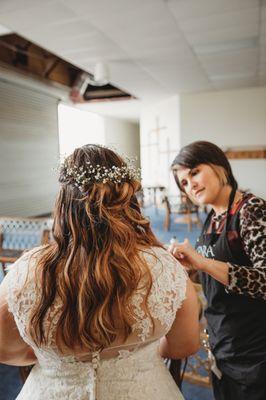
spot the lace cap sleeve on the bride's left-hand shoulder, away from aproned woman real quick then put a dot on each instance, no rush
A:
(21, 291)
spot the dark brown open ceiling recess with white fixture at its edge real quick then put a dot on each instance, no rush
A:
(22, 55)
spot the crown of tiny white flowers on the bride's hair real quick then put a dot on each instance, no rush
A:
(82, 176)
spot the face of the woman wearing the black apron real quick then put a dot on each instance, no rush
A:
(201, 183)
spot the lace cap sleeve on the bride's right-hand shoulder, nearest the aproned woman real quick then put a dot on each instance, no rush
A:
(167, 293)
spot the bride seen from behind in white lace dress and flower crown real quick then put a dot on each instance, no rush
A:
(89, 308)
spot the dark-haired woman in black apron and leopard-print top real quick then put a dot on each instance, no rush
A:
(230, 258)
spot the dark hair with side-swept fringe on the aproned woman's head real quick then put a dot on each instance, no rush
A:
(202, 152)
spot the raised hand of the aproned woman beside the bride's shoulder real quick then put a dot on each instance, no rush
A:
(187, 255)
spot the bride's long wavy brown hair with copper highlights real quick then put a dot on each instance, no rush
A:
(94, 265)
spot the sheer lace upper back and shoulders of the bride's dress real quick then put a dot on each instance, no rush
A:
(148, 322)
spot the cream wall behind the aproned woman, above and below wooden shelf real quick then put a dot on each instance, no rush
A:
(235, 118)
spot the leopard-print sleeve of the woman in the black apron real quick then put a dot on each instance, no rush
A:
(245, 280)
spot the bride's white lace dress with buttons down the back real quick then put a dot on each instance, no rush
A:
(131, 371)
